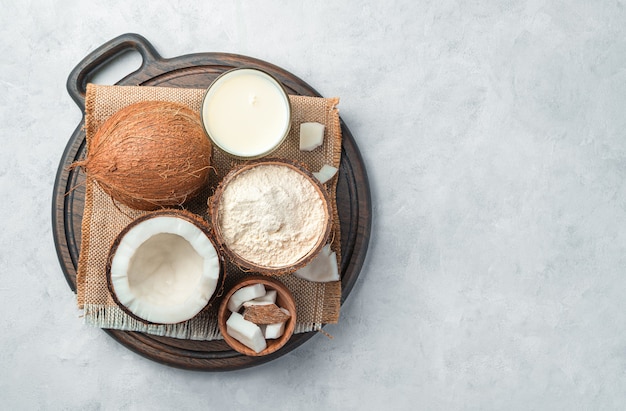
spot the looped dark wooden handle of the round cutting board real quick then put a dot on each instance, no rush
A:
(84, 71)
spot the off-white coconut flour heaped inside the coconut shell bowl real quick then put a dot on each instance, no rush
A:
(271, 215)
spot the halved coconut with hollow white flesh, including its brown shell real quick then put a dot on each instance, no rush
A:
(164, 268)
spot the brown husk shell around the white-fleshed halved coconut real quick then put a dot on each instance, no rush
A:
(182, 214)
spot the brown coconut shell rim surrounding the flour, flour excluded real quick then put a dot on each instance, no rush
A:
(240, 261)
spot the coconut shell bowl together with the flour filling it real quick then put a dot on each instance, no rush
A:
(271, 216)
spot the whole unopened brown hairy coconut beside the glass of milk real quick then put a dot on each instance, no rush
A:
(150, 155)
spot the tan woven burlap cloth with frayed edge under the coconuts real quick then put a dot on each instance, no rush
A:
(104, 219)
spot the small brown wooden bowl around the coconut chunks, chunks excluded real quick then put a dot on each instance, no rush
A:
(284, 299)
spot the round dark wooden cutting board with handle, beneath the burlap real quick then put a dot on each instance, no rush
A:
(197, 71)
